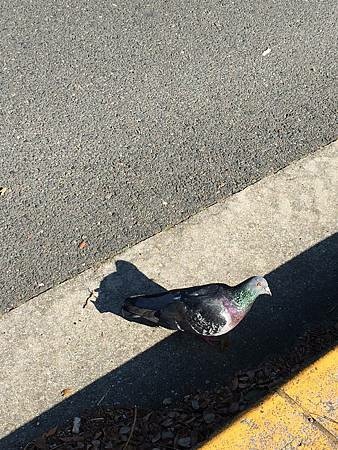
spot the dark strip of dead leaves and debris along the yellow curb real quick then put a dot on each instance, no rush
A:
(190, 422)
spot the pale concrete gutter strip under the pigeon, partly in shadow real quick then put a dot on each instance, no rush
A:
(283, 226)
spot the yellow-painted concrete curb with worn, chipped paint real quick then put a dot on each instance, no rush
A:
(302, 414)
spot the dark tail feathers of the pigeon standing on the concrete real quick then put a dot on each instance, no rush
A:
(140, 309)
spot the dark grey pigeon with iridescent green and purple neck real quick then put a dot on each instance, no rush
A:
(209, 311)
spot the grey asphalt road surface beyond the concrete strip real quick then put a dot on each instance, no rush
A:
(120, 118)
